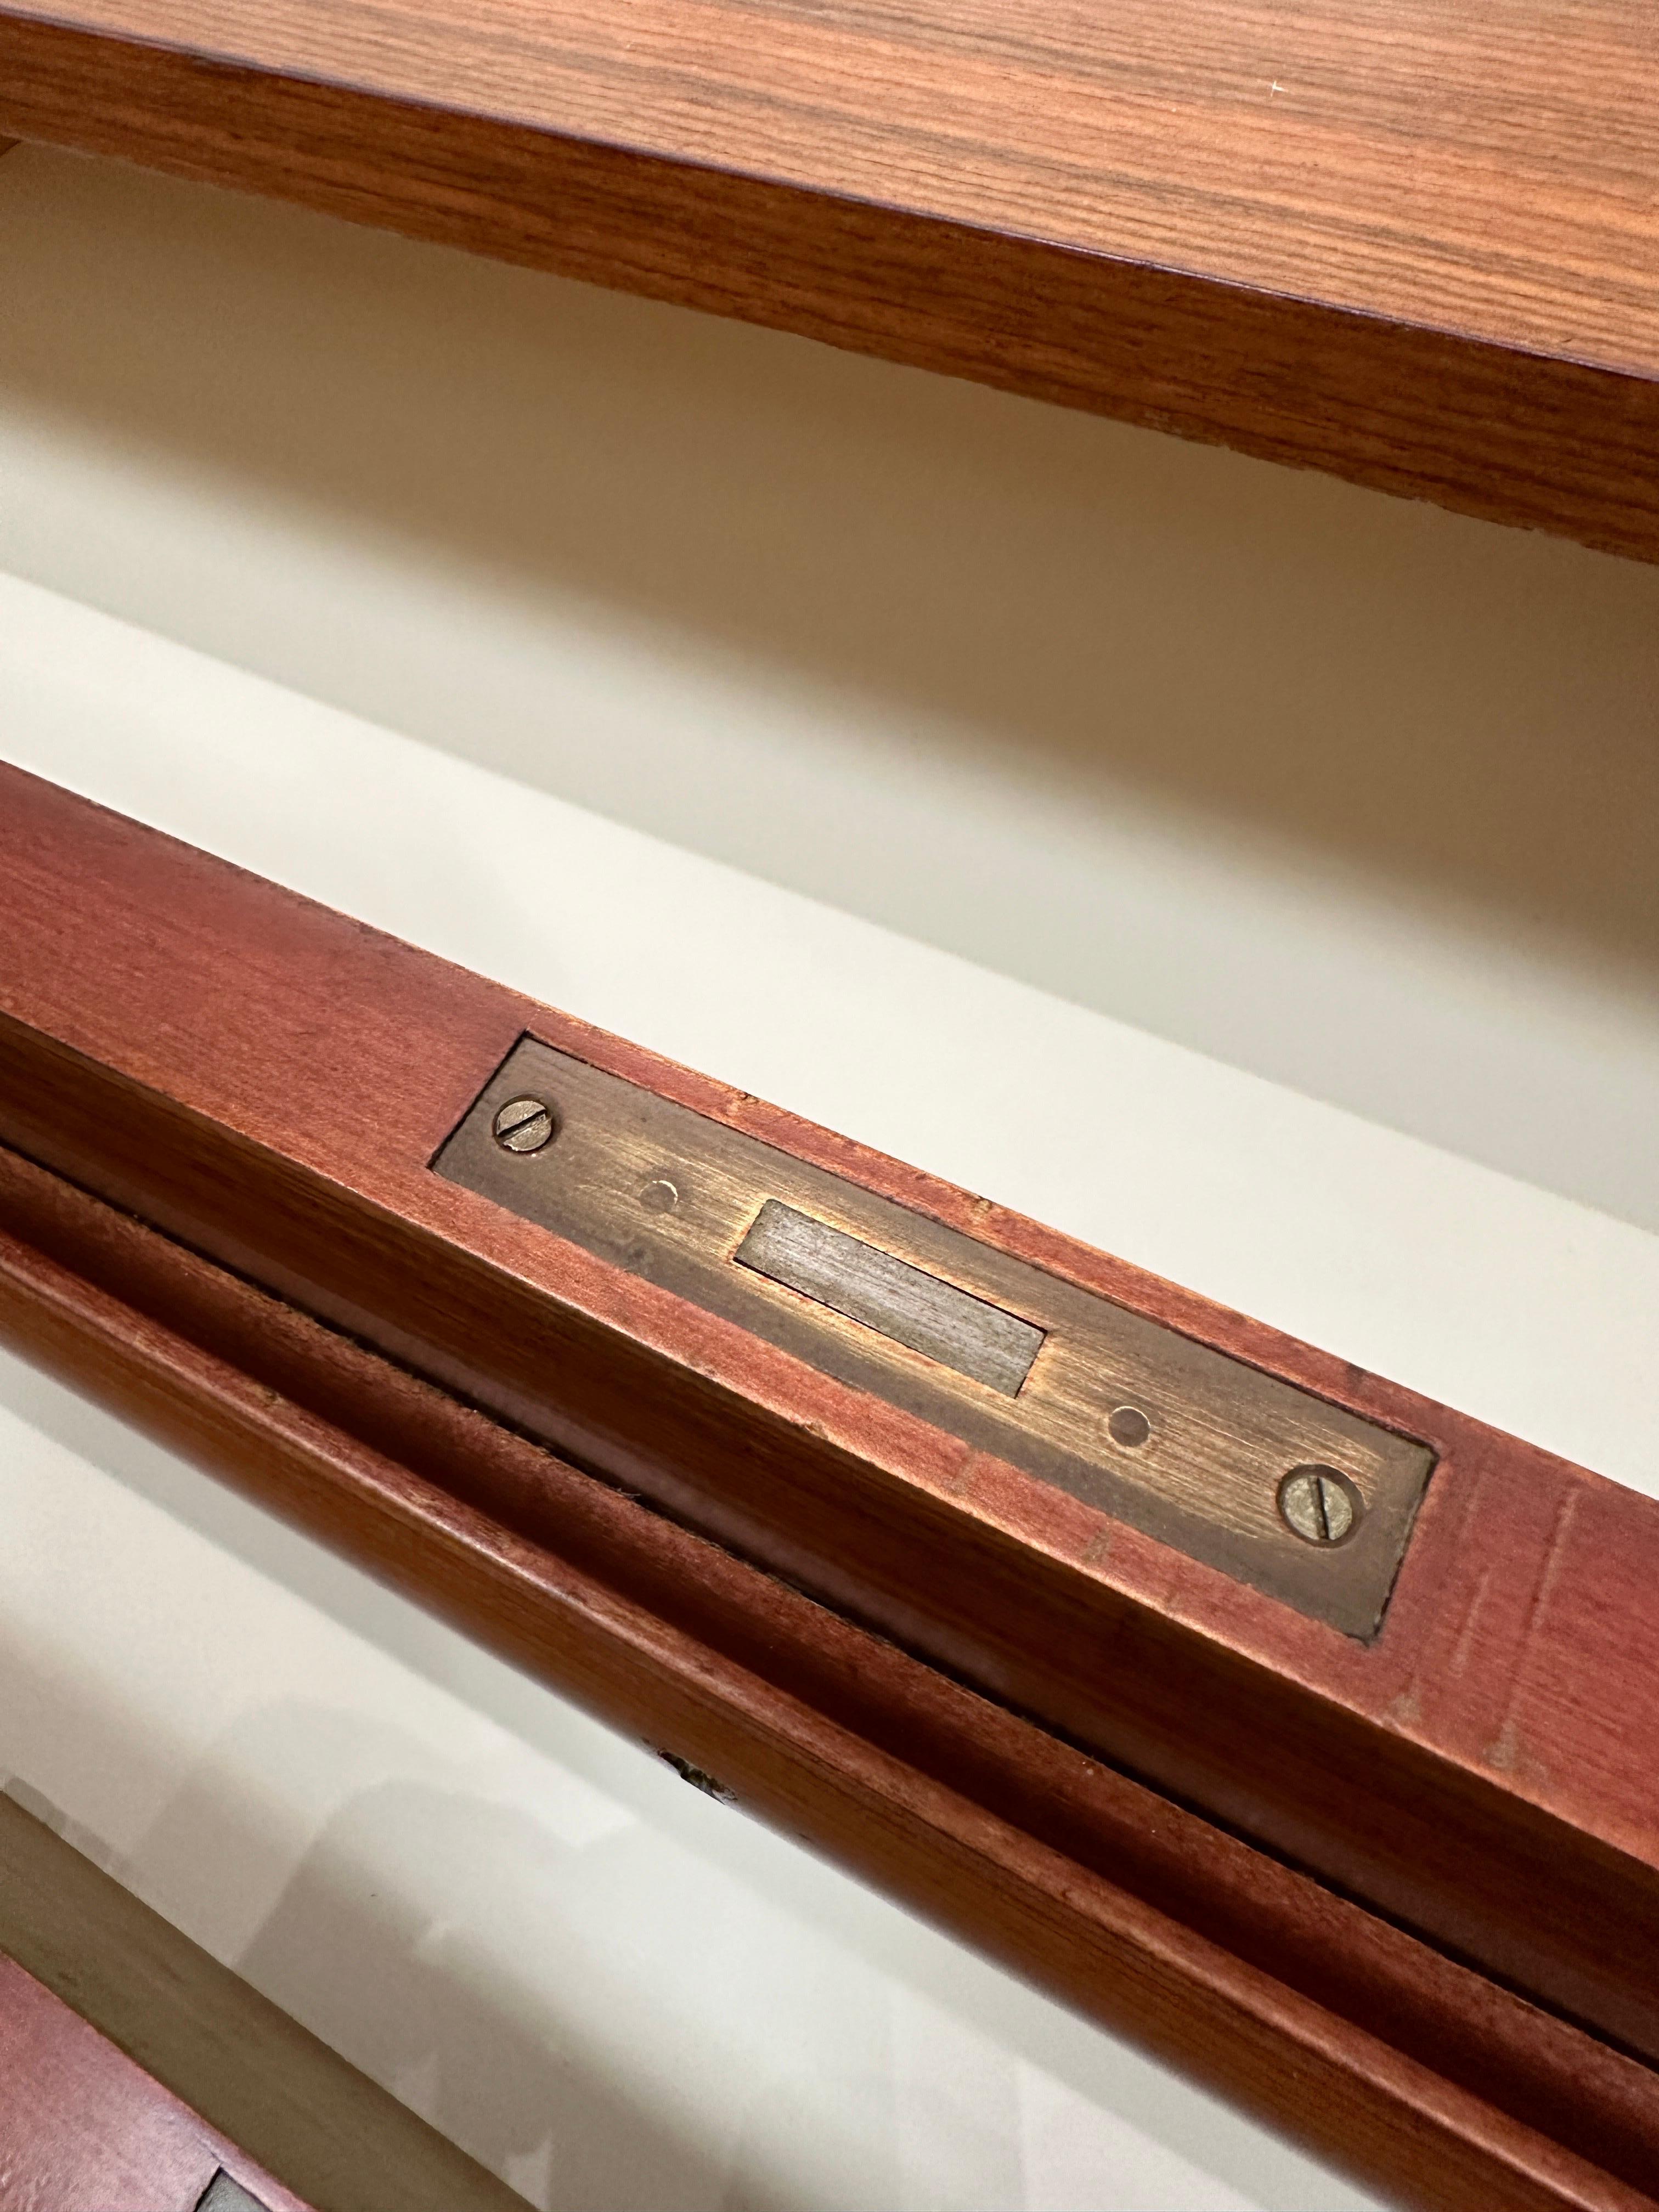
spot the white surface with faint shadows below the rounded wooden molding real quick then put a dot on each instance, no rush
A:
(587, 1974)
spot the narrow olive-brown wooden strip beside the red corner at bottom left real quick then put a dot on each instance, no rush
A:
(240, 2063)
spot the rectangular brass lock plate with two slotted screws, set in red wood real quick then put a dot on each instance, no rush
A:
(1235, 1468)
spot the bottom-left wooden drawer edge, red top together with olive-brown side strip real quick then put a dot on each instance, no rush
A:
(160, 2060)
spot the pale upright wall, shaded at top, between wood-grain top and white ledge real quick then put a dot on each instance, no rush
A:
(1344, 791)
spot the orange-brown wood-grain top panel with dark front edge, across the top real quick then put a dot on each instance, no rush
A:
(1401, 242)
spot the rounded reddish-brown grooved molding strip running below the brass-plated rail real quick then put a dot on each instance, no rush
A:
(1373, 2047)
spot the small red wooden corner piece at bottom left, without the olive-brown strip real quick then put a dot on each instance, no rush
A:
(83, 2129)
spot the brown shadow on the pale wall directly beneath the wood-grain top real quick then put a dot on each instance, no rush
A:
(1463, 709)
